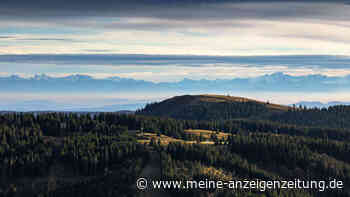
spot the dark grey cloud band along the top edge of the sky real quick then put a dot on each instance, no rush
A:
(170, 9)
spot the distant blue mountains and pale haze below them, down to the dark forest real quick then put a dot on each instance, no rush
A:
(86, 93)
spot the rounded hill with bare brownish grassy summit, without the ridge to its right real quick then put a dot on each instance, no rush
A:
(211, 107)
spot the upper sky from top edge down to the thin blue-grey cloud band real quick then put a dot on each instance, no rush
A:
(169, 27)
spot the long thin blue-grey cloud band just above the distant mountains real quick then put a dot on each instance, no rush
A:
(294, 61)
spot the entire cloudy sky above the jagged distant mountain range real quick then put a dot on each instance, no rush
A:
(170, 40)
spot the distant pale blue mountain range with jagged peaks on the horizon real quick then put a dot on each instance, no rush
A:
(275, 82)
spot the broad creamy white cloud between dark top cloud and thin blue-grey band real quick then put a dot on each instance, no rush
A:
(217, 36)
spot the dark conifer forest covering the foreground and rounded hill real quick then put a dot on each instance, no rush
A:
(102, 154)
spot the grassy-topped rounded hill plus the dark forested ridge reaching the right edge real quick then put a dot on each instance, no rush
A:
(218, 107)
